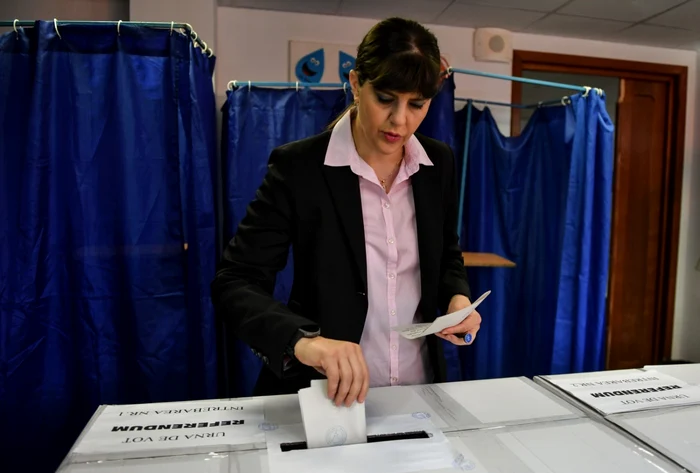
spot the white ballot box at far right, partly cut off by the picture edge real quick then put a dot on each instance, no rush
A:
(659, 406)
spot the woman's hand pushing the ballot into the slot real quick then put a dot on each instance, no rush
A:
(341, 362)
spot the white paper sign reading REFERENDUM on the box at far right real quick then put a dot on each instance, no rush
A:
(616, 392)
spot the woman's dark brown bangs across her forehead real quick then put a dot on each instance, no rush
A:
(409, 72)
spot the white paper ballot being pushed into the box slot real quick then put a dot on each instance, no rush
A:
(328, 425)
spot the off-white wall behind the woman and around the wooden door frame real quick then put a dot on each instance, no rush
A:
(253, 45)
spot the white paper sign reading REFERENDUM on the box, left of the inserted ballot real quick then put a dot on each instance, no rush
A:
(142, 430)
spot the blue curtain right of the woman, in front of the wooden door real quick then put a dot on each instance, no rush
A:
(542, 200)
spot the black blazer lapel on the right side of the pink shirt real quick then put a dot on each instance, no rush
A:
(426, 197)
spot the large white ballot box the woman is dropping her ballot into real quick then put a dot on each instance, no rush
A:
(499, 425)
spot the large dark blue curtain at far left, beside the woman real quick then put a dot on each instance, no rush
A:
(108, 231)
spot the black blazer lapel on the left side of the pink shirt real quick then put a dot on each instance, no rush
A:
(344, 186)
